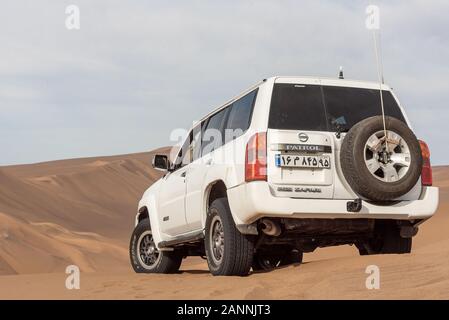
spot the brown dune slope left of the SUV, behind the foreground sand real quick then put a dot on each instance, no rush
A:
(77, 211)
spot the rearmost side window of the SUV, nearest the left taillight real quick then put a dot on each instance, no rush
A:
(240, 116)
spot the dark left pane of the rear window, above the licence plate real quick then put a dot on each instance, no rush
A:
(297, 107)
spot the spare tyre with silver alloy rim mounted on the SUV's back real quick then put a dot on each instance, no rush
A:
(381, 169)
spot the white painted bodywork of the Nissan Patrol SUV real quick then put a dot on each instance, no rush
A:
(251, 201)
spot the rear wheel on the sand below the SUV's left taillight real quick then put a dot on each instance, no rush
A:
(238, 249)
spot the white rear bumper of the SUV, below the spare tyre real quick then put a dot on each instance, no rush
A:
(251, 201)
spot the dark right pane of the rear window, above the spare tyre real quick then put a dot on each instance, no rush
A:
(348, 106)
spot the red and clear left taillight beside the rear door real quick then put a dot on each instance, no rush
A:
(256, 158)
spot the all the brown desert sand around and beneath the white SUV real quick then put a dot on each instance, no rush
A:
(81, 212)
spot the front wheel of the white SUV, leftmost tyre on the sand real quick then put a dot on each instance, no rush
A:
(144, 255)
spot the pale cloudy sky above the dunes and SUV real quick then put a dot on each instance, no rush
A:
(136, 70)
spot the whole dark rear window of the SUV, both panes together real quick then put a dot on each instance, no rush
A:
(324, 108)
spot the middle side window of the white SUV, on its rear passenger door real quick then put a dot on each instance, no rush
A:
(213, 134)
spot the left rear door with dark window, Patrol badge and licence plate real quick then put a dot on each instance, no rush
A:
(301, 158)
